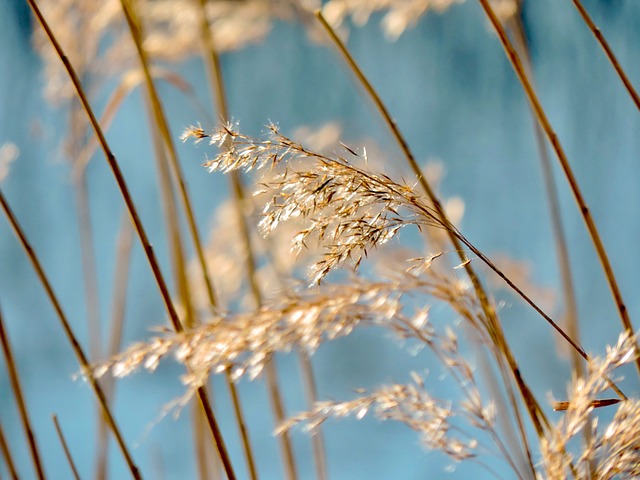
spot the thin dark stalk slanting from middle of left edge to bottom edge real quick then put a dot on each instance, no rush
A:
(75, 345)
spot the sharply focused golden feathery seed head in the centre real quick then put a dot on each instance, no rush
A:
(347, 209)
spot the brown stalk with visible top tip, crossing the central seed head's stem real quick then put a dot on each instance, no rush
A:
(493, 325)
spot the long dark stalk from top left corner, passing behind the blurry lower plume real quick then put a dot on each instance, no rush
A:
(146, 245)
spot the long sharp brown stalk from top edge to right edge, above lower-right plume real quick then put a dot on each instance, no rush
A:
(514, 58)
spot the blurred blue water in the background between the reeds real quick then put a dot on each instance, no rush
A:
(455, 97)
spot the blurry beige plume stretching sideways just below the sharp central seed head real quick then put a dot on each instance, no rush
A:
(246, 341)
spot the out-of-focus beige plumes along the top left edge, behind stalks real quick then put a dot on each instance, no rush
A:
(95, 37)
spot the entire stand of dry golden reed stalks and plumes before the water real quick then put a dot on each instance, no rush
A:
(314, 249)
